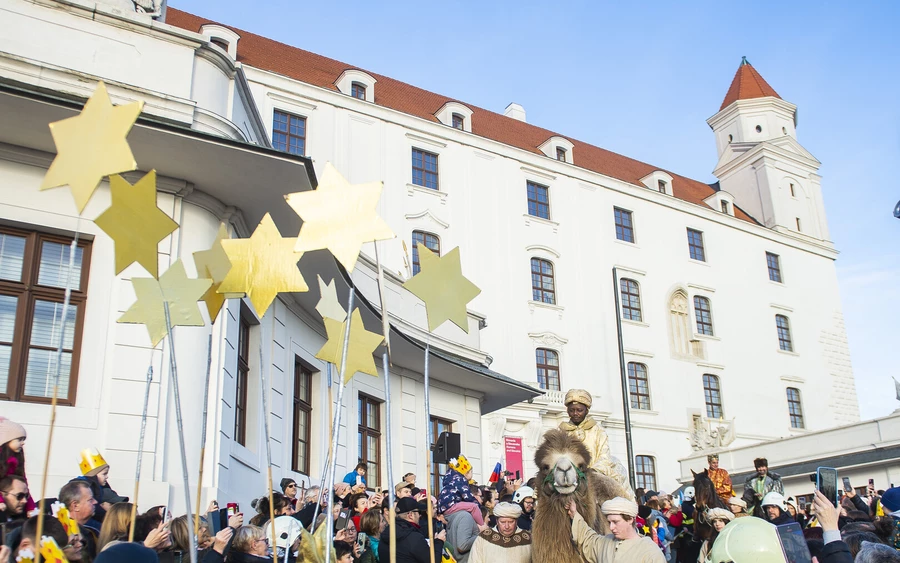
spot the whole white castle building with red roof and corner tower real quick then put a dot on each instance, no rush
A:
(731, 320)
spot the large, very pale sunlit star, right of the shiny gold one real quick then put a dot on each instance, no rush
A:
(339, 216)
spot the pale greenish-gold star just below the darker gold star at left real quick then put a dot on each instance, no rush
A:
(174, 287)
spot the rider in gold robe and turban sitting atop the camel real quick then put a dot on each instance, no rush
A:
(578, 402)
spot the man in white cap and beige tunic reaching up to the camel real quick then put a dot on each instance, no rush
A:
(623, 545)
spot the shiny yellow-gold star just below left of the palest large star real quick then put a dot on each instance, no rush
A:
(263, 266)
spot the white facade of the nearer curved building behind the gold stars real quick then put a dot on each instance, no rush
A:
(197, 130)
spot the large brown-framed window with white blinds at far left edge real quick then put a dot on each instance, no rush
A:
(34, 271)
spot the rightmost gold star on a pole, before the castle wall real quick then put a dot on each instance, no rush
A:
(443, 288)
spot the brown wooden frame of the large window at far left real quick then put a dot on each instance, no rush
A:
(27, 291)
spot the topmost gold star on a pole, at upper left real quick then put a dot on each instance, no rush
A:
(92, 145)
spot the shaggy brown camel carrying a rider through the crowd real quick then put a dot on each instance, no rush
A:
(564, 473)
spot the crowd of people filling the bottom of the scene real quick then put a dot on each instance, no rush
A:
(464, 521)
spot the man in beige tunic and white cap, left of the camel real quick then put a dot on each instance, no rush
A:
(506, 542)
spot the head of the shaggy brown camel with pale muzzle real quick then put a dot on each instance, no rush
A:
(563, 462)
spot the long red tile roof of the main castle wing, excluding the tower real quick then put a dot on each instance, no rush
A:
(267, 54)
